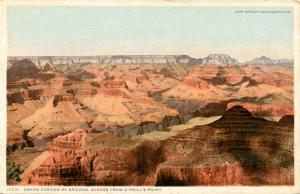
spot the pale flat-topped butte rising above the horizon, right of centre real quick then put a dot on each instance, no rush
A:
(218, 59)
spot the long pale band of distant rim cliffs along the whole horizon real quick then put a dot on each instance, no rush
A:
(50, 62)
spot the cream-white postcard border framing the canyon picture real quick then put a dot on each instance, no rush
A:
(193, 190)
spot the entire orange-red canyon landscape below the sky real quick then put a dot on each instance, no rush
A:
(160, 120)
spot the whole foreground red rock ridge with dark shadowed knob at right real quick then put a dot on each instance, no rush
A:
(237, 149)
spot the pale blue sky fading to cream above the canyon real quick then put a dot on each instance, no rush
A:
(196, 31)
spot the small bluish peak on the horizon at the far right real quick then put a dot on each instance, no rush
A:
(268, 61)
